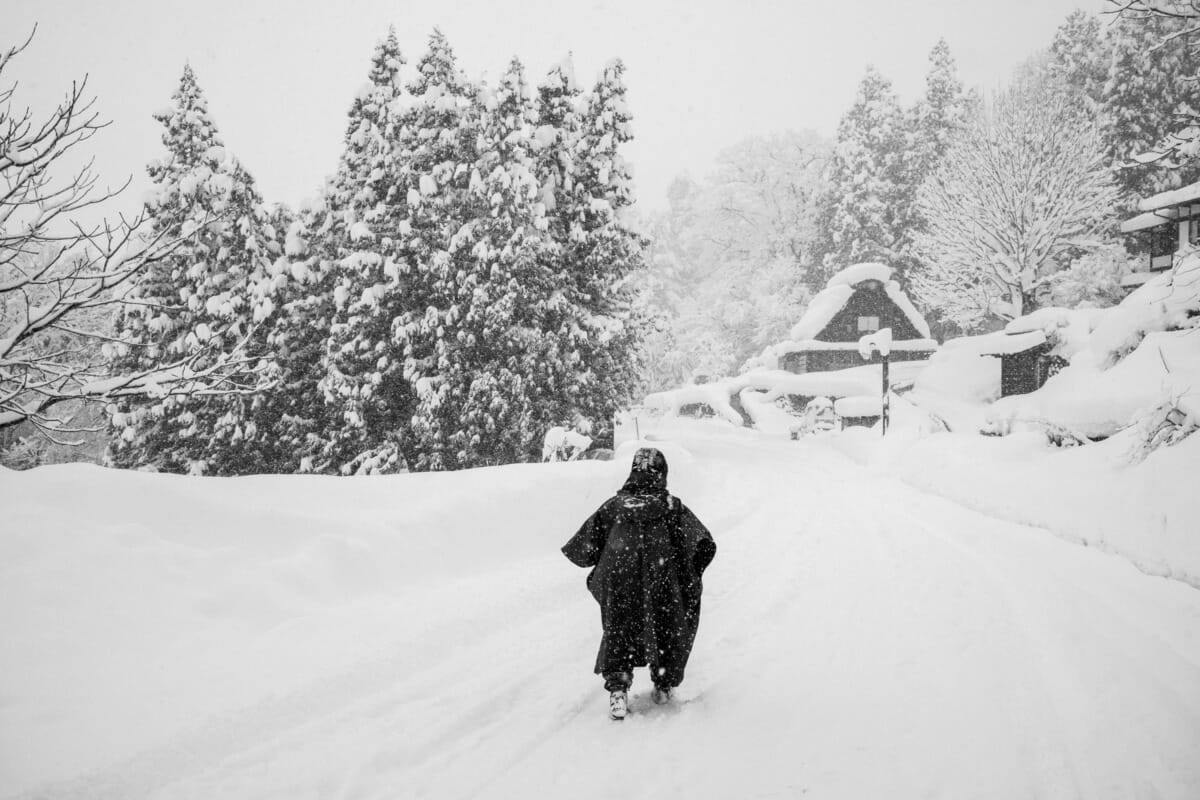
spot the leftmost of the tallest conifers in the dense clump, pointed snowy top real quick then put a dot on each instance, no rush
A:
(362, 286)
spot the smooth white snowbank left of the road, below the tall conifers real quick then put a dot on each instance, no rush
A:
(135, 604)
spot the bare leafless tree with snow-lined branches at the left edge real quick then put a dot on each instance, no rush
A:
(55, 274)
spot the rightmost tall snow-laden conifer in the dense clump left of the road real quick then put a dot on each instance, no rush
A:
(603, 251)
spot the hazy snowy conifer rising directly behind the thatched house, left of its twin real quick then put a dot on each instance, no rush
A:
(859, 219)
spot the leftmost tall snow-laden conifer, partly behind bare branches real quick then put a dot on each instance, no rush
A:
(215, 293)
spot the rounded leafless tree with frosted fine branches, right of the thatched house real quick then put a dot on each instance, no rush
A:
(1018, 188)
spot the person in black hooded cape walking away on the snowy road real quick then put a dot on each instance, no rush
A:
(647, 552)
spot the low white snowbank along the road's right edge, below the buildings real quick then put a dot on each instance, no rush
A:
(1145, 513)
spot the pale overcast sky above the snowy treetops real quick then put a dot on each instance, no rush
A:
(701, 75)
